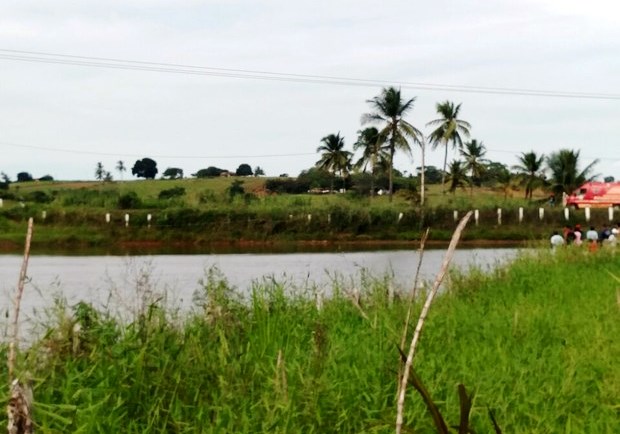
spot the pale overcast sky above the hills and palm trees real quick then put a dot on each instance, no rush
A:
(255, 87)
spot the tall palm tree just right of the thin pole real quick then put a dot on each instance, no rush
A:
(449, 129)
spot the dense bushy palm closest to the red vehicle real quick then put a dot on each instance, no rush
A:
(565, 173)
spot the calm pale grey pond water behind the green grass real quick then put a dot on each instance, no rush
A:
(107, 278)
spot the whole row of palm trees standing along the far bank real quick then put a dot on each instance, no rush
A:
(559, 171)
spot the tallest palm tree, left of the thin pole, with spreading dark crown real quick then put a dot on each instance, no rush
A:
(389, 109)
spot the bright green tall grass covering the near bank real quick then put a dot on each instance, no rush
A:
(537, 341)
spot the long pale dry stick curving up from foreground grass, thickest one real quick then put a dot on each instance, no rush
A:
(416, 335)
